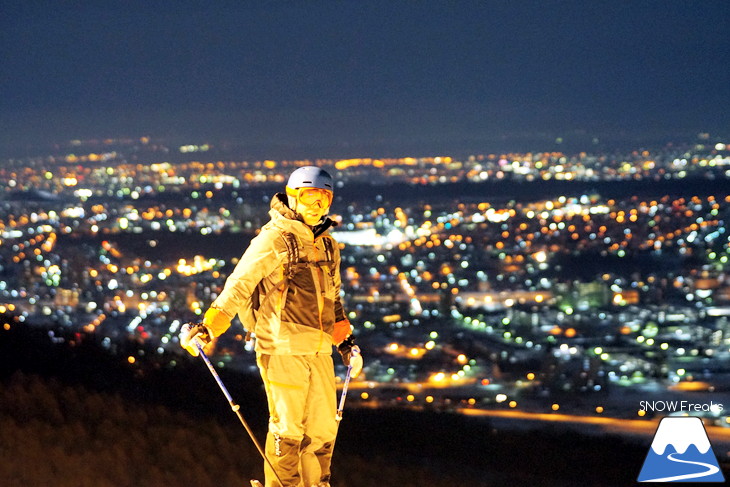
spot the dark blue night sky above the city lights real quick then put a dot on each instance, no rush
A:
(378, 75)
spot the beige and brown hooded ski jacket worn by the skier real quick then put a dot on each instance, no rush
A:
(298, 315)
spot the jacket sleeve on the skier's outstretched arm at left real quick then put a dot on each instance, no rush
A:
(261, 258)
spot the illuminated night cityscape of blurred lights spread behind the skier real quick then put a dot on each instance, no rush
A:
(466, 297)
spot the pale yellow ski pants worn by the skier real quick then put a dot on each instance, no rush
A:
(302, 399)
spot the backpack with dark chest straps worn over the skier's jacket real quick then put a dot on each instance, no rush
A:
(248, 314)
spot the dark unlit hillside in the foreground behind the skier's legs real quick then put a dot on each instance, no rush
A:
(72, 415)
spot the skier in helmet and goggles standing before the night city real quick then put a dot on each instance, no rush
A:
(288, 280)
